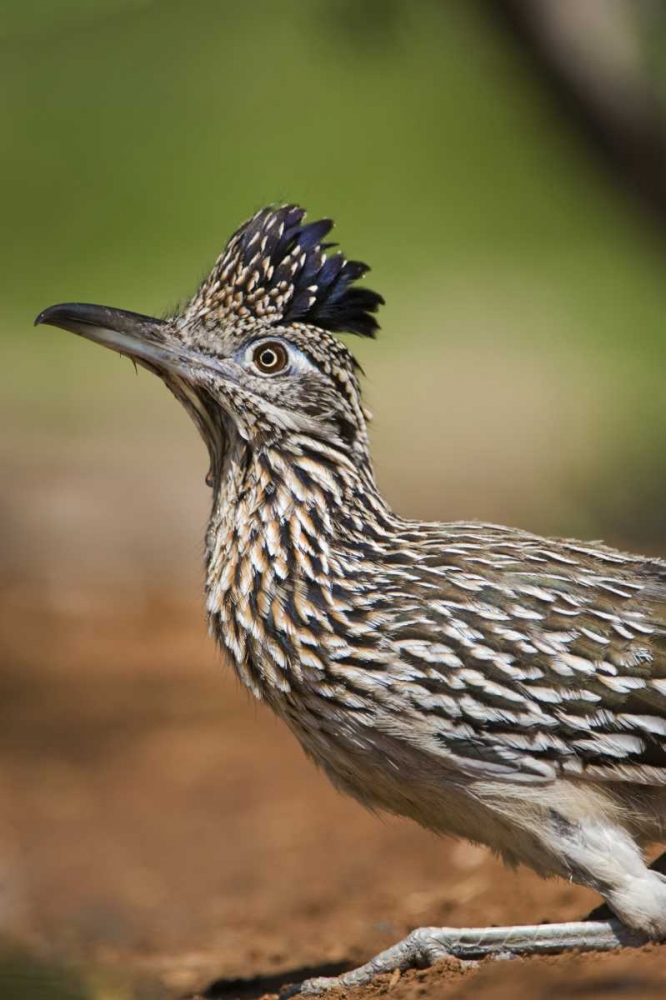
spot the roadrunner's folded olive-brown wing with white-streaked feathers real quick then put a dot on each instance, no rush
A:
(529, 657)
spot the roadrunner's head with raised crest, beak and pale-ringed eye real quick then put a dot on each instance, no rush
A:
(253, 352)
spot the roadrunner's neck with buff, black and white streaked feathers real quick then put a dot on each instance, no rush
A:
(286, 520)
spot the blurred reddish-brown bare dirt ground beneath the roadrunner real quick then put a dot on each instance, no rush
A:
(157, 821)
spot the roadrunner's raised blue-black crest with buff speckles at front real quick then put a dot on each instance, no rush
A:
(275, 268)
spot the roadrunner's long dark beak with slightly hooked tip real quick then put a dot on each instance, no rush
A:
(142, 338)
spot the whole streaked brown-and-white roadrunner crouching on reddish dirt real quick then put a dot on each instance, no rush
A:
(481, 680)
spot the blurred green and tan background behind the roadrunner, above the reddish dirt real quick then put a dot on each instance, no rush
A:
(519, 372)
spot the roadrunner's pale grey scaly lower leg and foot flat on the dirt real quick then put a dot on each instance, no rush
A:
(426, 945)
